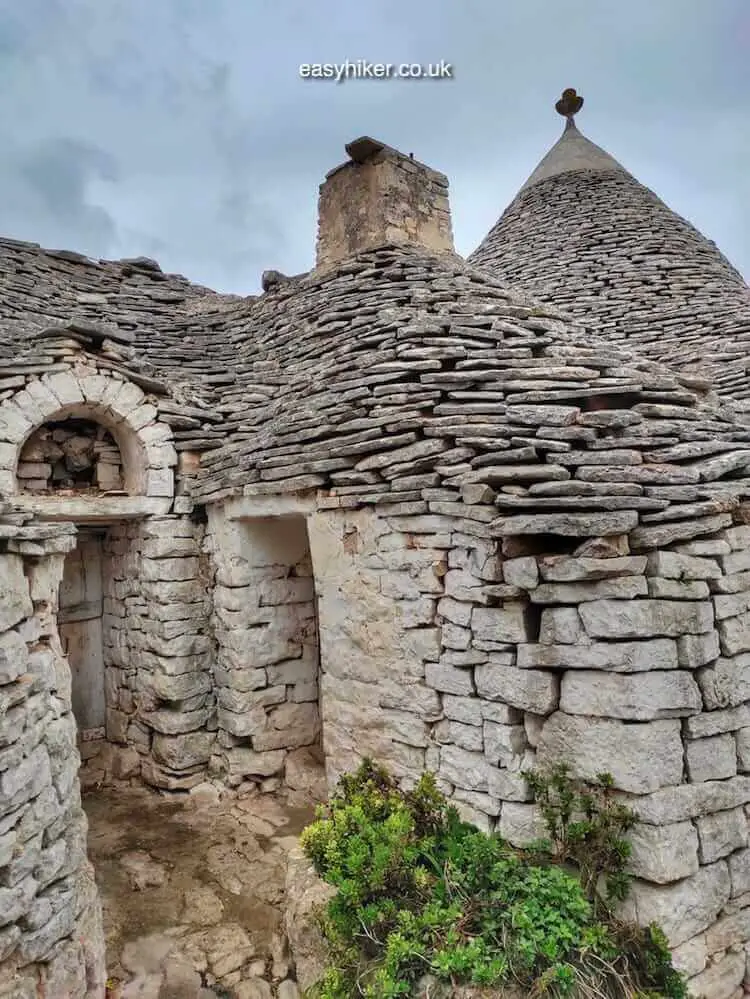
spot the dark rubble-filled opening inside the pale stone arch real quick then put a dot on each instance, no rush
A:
(74, 455)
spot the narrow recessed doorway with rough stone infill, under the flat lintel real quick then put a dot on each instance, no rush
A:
(264, 622)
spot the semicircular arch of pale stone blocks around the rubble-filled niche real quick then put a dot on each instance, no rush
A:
(115, 412)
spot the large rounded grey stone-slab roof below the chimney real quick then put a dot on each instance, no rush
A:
(418, 384)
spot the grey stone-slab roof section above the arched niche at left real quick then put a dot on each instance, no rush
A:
(159, 330)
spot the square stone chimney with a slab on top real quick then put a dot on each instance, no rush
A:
(381, 197)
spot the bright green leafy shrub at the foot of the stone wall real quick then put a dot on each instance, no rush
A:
(421, 892)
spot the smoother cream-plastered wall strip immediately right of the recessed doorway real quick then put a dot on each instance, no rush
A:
(377, 591)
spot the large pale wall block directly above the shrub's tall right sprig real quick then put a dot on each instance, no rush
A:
(641, 758)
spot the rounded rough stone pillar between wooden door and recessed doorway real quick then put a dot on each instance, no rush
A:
(158, 650)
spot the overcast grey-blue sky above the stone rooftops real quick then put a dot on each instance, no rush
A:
(181, 129)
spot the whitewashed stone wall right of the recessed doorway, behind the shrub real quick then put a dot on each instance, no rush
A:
(440, 652)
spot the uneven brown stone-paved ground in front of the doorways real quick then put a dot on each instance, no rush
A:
(192, 890)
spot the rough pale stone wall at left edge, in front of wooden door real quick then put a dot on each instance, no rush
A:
(51, 940)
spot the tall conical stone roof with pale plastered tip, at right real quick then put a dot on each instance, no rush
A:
(585, 235)
